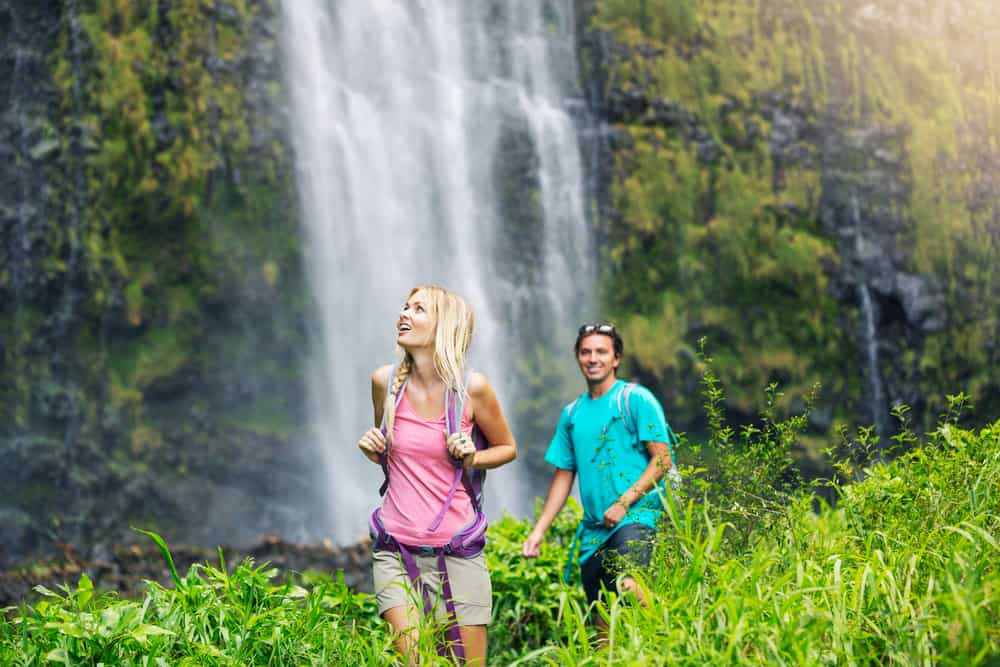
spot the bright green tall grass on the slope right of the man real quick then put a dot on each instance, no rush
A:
(904, 571)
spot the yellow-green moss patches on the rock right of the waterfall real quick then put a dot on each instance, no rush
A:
(734, 248)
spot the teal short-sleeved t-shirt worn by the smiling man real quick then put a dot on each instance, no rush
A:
(607, 458)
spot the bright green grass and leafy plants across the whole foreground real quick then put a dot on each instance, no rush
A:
(747, 571)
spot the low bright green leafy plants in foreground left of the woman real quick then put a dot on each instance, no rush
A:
(211, 617)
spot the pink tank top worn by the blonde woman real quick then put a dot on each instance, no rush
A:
(420, 477)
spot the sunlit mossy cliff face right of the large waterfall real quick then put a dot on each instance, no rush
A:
(758, 123)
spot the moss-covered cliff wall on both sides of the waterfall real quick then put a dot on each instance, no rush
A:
(757, 164)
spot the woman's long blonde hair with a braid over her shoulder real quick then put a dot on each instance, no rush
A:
(453, 326)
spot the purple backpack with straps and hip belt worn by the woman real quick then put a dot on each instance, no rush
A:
(467, 542)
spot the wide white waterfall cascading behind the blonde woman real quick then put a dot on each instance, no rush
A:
(433, 145)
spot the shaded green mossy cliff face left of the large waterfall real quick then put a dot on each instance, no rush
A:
(173, 284)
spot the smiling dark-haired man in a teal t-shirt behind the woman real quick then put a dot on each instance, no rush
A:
(616, 438)
